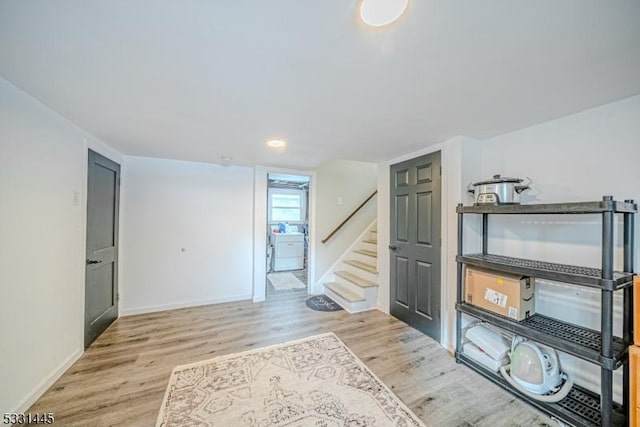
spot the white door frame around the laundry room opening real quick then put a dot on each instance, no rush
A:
(260, 229)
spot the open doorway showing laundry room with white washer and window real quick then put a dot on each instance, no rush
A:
(287, 252)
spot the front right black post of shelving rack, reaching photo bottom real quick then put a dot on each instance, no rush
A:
(606, 325)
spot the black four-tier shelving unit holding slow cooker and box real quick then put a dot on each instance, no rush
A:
(581, 407)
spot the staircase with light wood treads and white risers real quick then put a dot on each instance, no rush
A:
(355, 281)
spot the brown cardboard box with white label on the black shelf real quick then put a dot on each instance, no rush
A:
(505, 294)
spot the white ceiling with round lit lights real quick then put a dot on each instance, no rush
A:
(196, 80)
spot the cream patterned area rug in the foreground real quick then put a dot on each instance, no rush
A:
(316, 381)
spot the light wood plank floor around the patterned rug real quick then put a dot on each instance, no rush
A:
(121, 379)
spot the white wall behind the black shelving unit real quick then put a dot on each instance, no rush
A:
(580, 157)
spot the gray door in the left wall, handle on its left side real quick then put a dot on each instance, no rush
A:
(101, 286)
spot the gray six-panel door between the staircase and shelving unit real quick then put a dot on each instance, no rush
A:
(415, 243)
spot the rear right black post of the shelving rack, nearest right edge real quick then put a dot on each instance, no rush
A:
(627, 319)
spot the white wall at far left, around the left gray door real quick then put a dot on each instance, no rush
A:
(42, 250)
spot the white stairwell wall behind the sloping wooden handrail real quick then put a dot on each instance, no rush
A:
(341, 186)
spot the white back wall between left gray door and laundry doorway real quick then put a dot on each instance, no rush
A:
(187, 234)
